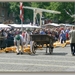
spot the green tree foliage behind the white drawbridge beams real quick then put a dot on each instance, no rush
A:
(57, 6)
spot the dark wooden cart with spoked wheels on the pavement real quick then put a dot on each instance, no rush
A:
(41, 40)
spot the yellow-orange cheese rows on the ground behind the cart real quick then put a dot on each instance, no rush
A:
(27, 49)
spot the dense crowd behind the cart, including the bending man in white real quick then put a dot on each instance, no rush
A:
(14, 36)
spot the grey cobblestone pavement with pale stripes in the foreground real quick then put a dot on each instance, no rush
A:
(60, 61)
